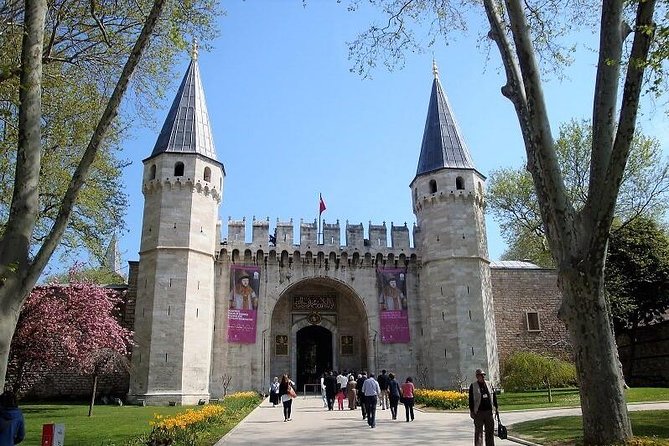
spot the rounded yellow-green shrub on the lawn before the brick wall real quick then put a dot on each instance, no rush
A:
(530, 371)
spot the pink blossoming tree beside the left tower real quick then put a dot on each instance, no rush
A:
(75, 327)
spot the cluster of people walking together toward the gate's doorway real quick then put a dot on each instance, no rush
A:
(368, 392)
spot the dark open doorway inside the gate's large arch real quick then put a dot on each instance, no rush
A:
(314, 354)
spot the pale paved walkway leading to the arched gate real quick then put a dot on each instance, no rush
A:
(313, 425)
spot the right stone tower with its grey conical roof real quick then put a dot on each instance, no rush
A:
(448, 201)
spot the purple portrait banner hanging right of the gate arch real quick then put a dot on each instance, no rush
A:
(394, 318)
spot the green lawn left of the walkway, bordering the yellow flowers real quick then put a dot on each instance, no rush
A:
(113, 425)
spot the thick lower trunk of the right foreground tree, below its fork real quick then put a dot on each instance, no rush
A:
(584, 311)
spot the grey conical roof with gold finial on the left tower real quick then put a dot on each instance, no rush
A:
(186, 128)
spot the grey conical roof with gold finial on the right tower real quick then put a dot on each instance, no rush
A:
(443, 145)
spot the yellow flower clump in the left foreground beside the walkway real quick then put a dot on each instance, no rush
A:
(182, 429)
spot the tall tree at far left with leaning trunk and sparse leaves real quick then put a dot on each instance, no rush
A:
(90, 50)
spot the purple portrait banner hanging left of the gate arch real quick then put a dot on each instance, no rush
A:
(243, 303)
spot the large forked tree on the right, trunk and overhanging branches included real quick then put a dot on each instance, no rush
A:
(531, 36)
